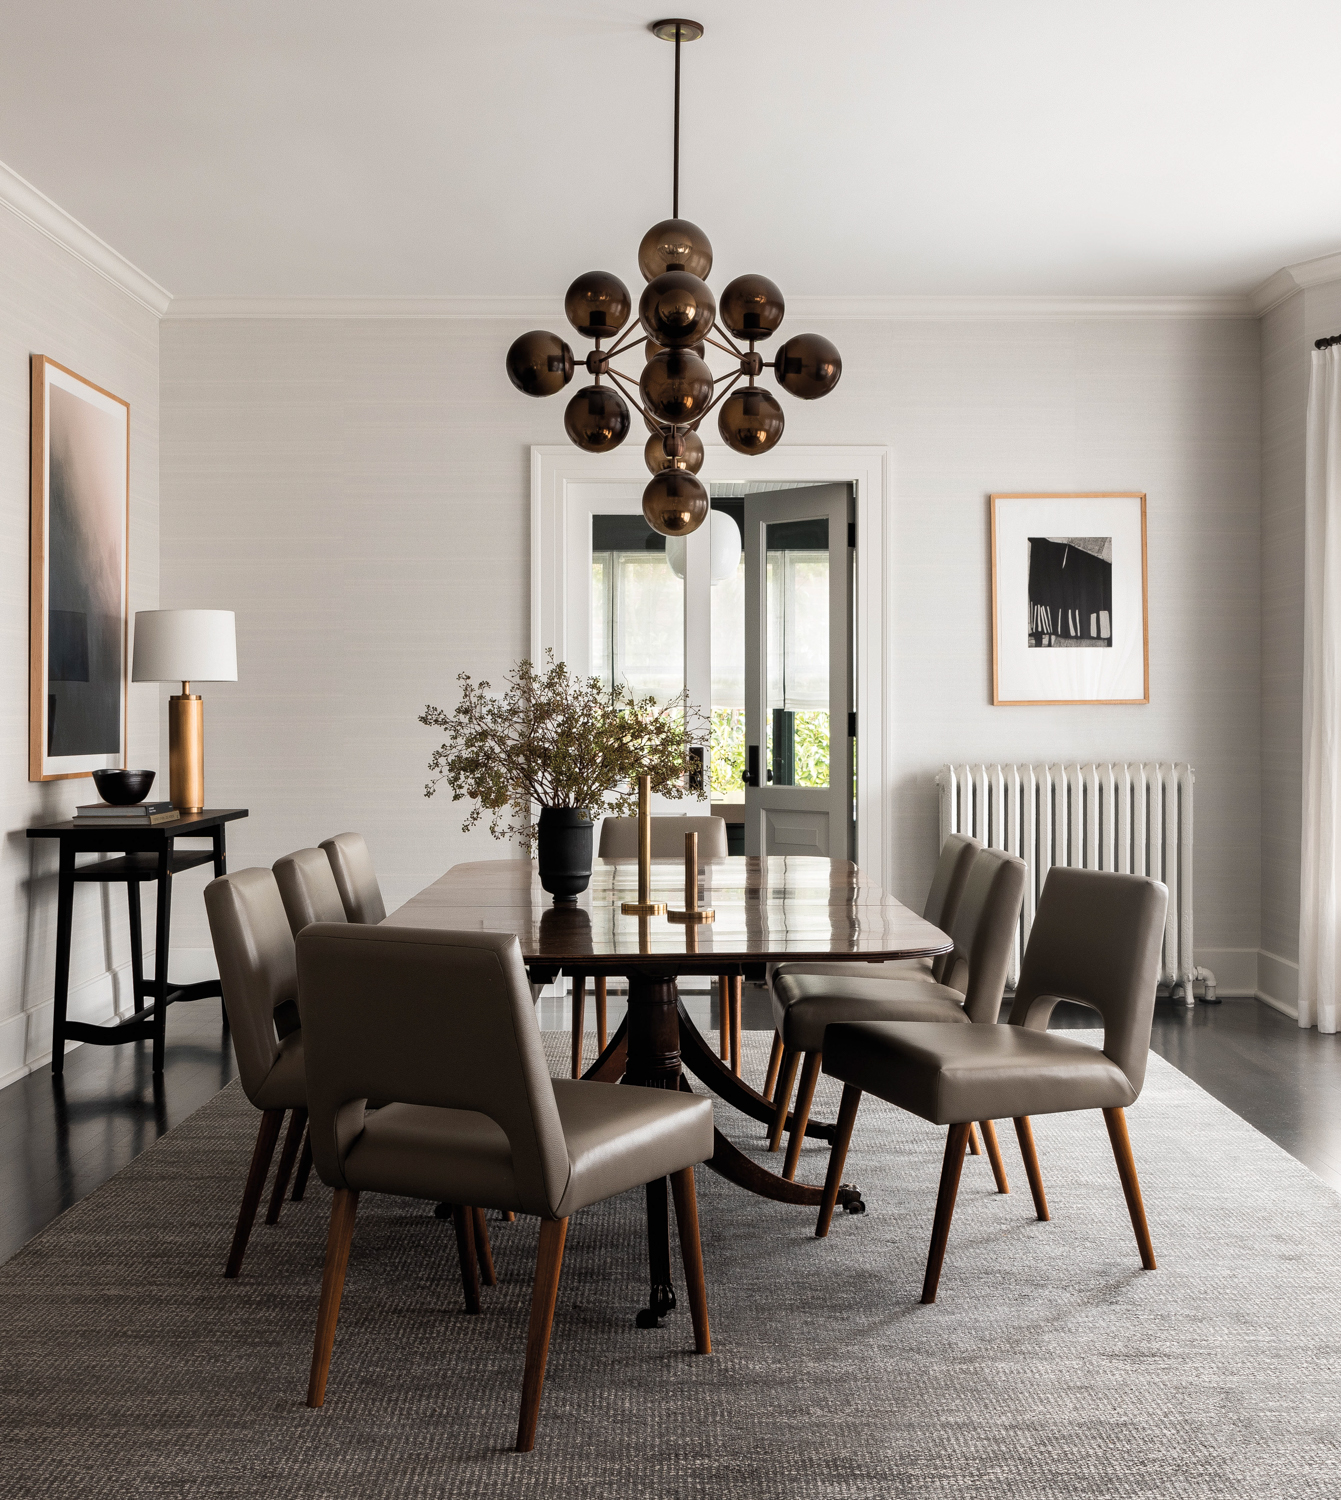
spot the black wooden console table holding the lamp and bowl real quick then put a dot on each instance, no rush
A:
(148, 854)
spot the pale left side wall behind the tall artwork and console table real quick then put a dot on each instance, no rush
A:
(53, 304)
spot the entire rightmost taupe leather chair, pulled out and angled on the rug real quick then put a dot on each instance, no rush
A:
(1097, 940)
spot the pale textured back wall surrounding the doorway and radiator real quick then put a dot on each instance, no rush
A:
(358, 491)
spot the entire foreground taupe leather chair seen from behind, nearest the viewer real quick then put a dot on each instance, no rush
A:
(452, 1040)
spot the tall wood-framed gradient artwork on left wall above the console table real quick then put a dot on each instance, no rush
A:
(79, 575)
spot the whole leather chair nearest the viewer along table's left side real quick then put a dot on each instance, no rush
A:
(259, 976)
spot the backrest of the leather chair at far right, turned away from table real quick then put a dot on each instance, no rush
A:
(1097, 938)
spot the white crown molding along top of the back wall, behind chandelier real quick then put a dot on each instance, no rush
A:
(868, 310)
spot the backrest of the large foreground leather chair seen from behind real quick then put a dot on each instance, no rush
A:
(427, 1016)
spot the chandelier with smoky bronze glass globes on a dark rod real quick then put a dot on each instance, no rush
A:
(679, 319)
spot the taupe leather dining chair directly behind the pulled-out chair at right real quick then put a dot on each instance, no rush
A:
(808, 1006)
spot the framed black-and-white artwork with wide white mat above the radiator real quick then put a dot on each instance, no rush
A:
(1070, 617)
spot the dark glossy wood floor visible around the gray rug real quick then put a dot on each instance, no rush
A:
(62, 1142)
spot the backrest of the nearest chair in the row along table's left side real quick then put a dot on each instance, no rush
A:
(257, 967)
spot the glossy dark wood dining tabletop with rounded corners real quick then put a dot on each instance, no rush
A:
(769, 910)
